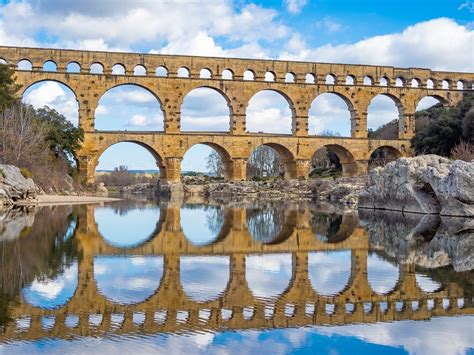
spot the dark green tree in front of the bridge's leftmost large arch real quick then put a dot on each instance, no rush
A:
(61, 135)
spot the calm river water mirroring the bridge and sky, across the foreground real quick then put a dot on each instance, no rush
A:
(149, 277)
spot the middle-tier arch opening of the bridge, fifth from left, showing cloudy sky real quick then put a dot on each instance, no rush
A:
(330, 115)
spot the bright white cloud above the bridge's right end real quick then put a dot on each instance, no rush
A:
(439, 44)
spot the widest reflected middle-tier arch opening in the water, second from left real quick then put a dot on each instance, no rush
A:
(128, 280)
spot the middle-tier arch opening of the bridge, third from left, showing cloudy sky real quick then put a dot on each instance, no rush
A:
(205, 109)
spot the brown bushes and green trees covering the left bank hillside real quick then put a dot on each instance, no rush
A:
(41, 142)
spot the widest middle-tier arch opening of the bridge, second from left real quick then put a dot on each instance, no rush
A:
(129, 108)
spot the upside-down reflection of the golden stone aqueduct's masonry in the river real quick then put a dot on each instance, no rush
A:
(170, 309)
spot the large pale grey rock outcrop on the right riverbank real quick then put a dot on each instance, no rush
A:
(424, 184)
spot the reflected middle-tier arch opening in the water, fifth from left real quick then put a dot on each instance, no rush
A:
(329, 272)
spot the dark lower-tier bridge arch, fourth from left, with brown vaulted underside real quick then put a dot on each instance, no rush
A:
(337, 158)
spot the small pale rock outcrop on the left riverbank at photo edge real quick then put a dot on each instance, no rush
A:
(14, 187)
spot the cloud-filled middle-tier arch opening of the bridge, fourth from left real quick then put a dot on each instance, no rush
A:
(269, 111)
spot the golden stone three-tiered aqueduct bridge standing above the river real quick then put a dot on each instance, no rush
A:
(299, 82)
